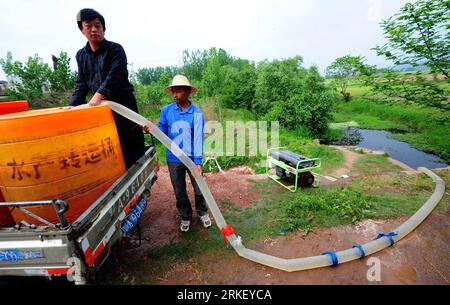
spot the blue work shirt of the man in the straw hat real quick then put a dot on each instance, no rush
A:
(184, 128)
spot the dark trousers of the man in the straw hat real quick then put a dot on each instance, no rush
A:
(177, 173)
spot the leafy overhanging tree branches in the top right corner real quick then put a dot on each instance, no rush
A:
(419, 34)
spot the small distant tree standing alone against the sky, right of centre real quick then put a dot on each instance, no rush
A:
(346, 68)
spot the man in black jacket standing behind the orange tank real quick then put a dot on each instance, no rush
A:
(102, 70)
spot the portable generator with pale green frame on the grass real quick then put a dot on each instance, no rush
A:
(292, 170)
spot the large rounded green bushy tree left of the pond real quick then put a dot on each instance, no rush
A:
(294, 96)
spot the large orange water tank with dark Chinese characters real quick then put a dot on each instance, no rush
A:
(55, 153)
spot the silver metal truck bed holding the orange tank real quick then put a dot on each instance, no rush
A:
(78, 249)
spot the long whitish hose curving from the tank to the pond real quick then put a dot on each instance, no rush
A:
(295, 264)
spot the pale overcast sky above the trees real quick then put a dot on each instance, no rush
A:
(154, 33)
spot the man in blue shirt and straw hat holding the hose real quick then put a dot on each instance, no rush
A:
(184, 124)
